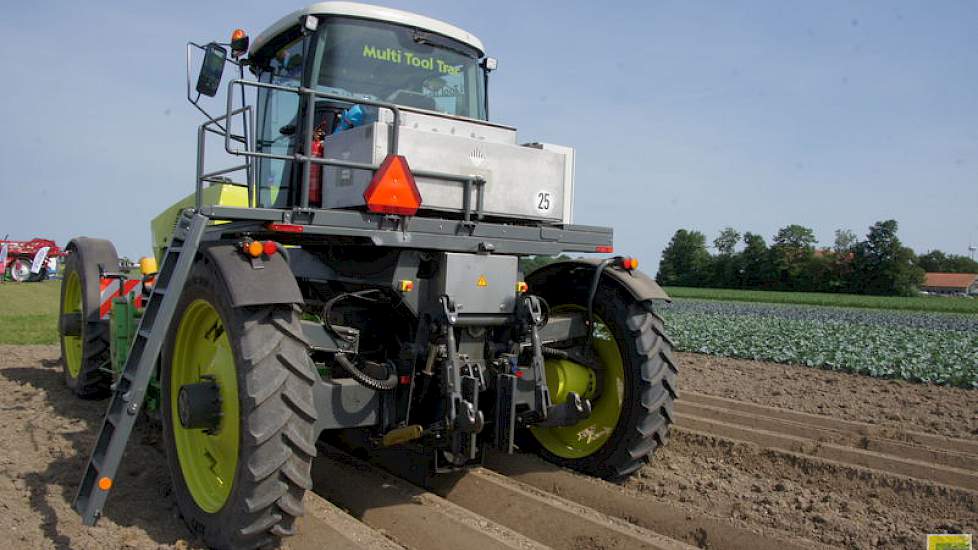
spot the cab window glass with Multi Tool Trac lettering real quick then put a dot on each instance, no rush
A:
(402, 65)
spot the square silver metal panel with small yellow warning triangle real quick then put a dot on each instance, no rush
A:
(479, 283)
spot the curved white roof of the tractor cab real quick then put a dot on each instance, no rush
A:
(367, 11)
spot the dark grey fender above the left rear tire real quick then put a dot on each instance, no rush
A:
(274, 283)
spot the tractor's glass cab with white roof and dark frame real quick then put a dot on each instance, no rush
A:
(359, 53)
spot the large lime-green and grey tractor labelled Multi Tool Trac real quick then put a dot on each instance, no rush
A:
(356, 278)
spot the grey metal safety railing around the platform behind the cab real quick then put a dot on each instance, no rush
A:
(304, 155)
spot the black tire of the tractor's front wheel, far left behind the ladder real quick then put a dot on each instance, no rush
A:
(85, 256)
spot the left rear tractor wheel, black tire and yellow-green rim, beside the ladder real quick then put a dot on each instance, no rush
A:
(241, 485)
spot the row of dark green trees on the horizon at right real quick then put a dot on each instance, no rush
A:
(877, 264)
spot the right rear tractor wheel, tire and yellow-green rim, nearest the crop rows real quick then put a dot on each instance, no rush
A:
(633, 394)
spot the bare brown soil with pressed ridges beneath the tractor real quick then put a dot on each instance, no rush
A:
(763, 456)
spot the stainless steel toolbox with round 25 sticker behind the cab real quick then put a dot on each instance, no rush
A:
(525, 182)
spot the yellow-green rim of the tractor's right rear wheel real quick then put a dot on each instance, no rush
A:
(588, 436)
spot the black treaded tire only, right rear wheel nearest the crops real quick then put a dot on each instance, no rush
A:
(650, 378)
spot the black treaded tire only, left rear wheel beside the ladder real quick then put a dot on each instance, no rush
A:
(277, 444)
